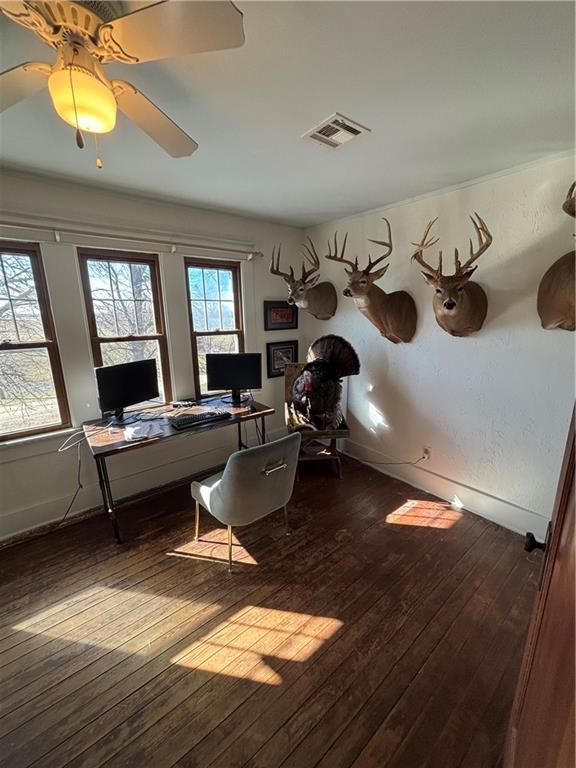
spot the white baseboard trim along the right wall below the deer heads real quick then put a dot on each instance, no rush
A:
(500, 511)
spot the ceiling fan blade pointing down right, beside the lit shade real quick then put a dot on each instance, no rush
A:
(152, 120)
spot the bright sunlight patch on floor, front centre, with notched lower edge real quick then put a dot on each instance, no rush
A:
(250, 654)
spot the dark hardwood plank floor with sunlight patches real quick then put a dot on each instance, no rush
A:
(387, 630)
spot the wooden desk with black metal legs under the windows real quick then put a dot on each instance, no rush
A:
(106, 442)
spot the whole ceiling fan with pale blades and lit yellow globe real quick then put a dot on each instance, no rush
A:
(88, 35)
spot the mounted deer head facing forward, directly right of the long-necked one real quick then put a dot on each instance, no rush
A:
(460, 305)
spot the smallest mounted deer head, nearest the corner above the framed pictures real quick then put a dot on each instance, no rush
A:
(318, 299)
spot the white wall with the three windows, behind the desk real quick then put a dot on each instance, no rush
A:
(36, 482)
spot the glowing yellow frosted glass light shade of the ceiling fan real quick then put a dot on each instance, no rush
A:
(95, 103)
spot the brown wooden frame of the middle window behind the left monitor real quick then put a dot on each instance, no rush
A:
(128, 257)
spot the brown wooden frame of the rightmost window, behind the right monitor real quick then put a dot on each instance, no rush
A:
(235, 268)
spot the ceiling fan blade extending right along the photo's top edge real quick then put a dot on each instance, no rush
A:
(173, 28)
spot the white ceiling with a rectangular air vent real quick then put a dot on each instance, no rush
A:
(452, 91)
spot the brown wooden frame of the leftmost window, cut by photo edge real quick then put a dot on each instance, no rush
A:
(50, 341)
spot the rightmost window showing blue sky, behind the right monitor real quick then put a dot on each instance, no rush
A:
(215, 313)
